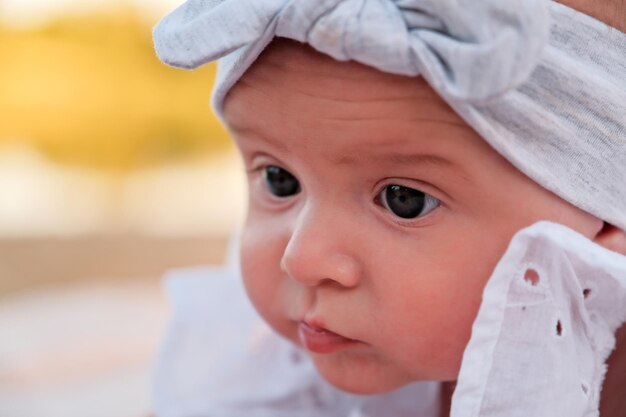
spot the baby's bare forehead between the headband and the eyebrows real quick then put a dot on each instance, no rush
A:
(361, 113)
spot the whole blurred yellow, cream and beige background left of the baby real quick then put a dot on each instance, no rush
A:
(112, 170)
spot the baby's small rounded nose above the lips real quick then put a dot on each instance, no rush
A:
(320, 250)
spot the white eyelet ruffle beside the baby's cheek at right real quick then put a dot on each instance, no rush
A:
(540, 349)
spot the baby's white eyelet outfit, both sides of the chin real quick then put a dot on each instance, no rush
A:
(219, 359)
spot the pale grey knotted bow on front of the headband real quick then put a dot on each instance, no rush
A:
(468, 50)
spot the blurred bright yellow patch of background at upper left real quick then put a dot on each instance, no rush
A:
(87, 90)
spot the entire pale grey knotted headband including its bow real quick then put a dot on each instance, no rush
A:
(543, 84)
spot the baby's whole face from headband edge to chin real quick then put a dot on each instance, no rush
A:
(375, 213)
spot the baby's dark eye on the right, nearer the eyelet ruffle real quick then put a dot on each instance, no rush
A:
(406, 202)
